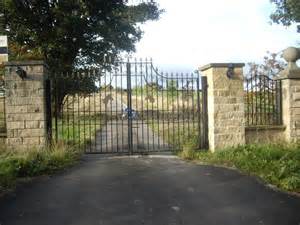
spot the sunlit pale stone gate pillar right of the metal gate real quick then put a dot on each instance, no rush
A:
(226, 115)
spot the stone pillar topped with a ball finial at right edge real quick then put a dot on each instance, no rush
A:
(290, 80)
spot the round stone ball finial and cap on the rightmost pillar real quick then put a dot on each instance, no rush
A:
(291, 55)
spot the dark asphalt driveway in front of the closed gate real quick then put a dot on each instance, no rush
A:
(137, 191)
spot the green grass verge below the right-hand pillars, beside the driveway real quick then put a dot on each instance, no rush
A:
(276, 164)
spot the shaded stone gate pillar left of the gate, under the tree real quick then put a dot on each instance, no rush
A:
(25, 104)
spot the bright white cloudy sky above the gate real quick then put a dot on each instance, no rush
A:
(192, 33)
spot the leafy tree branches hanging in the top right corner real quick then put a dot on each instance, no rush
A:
(287, 12)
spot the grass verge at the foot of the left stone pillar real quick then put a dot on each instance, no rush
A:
(34, 162)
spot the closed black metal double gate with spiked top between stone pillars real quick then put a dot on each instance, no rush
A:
(129, 107)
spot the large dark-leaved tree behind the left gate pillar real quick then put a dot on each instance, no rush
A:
(69, 34)
